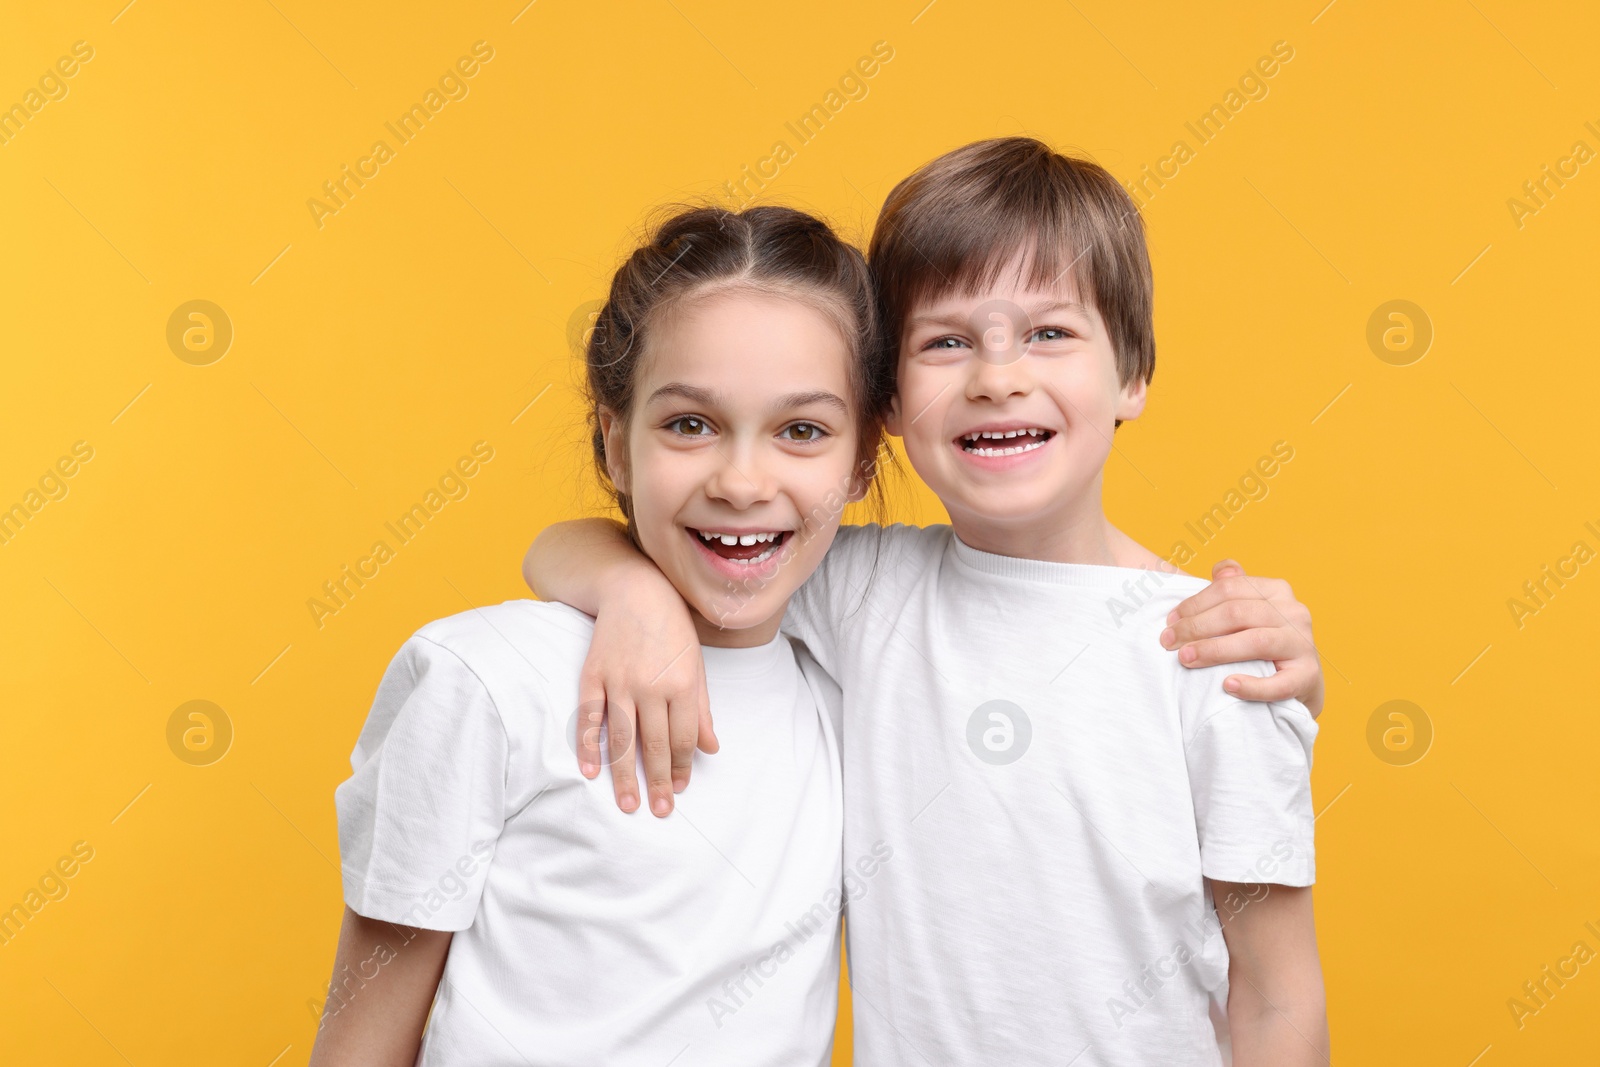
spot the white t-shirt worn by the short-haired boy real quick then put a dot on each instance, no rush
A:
(1055, 789)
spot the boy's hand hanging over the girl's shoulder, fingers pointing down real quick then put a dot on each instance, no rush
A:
(646, 671)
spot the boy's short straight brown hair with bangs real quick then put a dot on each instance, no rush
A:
(961, 220)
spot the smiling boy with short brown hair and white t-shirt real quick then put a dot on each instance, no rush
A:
(1071, 818)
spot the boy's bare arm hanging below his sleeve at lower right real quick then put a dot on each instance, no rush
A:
(1278, 1012)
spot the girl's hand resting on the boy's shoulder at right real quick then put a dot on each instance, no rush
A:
(1239, 618)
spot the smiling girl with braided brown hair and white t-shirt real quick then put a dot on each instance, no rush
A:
(737, 385)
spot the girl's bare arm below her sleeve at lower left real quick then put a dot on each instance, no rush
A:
(383, 988)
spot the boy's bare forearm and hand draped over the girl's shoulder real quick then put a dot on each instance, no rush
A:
(644, 666)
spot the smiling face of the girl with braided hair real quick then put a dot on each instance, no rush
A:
(740, 455)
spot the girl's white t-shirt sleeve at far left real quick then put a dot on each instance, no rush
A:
(420, 817)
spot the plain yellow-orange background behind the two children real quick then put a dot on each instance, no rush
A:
(436, 308)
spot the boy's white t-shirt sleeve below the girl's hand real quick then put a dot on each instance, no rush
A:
(1250, 780)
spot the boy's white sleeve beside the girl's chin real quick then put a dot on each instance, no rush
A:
(863, 578)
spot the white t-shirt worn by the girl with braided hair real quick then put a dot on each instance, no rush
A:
(586, 935)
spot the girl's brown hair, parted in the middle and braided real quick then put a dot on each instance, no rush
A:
(703, 250)
